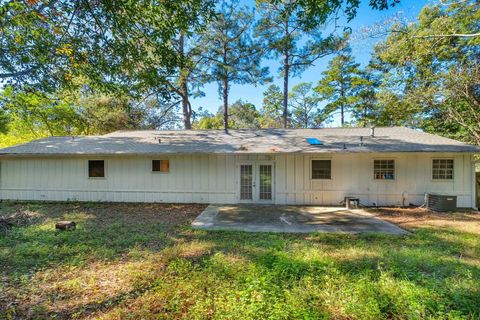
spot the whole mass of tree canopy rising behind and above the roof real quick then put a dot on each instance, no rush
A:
(91, 67)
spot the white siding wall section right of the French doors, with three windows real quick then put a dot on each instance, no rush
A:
(352, 175)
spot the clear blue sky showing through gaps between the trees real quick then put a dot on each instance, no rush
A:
(361, 50)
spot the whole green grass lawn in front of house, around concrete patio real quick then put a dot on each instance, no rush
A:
(143, 261)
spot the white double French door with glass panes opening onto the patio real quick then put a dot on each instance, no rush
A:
(256, 182)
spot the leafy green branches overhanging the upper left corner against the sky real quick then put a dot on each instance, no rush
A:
(113, 43)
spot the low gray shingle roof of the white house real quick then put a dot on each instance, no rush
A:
(394, 139)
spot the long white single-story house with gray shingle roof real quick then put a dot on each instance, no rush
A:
(380, 166)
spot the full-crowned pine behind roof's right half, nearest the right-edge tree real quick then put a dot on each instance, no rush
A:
(339, 85)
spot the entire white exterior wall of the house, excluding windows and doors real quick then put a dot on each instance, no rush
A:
(214, 179)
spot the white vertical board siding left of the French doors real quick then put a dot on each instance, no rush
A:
(200, 179)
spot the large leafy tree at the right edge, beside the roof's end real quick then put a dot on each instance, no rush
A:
(432, 71)
